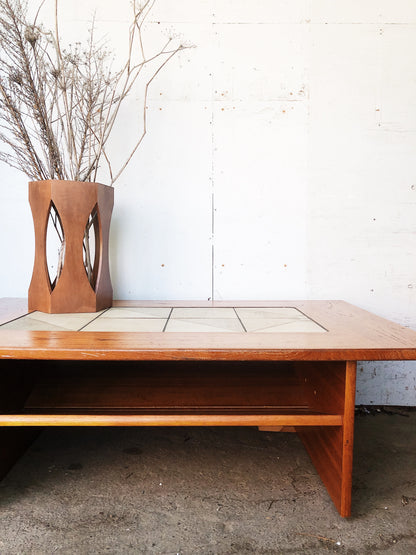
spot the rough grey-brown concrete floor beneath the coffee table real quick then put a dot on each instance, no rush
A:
(207, 491)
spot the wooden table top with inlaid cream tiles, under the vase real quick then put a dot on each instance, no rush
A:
(204, 330)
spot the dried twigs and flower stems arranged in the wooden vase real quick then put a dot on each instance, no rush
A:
(59, 104)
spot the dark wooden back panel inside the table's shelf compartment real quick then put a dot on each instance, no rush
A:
(164, 384)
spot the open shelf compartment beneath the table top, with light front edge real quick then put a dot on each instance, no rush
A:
(175, 394)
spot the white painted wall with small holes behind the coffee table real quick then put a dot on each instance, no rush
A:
(280, 163)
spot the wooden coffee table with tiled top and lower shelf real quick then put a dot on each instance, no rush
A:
(282, 366)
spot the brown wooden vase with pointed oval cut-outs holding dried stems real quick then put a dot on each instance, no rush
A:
(73, 202)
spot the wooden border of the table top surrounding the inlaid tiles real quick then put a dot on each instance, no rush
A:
(353, 334)
